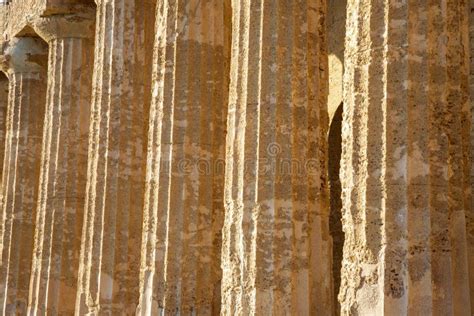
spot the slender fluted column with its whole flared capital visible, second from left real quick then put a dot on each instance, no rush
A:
(63, 163)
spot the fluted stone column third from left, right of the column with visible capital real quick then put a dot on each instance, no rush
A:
(111, 241)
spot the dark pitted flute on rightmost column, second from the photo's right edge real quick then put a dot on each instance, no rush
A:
(440, 244)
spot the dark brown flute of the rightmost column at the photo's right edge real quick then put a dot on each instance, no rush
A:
(456, 122)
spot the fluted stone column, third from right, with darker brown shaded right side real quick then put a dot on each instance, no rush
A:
(183, 212)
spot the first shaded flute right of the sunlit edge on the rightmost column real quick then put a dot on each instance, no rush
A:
(395, 178)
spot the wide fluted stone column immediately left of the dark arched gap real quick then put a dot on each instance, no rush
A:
(276, 244)
